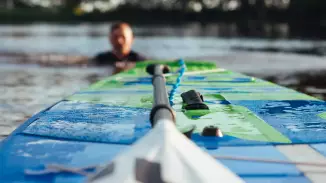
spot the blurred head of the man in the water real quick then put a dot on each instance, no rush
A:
(121, 37)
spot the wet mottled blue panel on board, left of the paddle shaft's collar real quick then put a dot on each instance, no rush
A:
(92, 122)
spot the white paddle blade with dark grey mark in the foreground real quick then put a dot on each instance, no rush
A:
(164, 155)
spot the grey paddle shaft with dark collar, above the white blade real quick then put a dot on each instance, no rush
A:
(161, 106)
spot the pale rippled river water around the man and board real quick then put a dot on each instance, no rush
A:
(26, 89)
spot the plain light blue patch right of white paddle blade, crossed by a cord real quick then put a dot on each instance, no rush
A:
(256, 172)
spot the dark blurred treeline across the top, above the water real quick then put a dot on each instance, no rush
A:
(308, 11)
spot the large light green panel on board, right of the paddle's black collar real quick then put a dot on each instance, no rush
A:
(233, 120)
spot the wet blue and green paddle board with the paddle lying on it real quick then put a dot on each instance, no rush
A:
(172, 121)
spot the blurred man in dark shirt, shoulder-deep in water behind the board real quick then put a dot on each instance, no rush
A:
(121, 57)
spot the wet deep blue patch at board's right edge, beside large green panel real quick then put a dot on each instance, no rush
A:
(296, 119)
